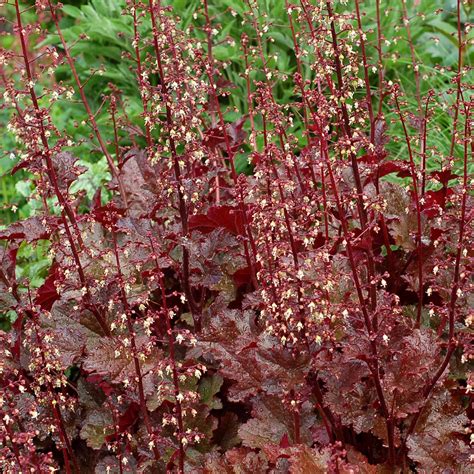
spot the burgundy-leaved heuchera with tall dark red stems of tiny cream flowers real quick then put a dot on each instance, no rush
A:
(310, 316)
